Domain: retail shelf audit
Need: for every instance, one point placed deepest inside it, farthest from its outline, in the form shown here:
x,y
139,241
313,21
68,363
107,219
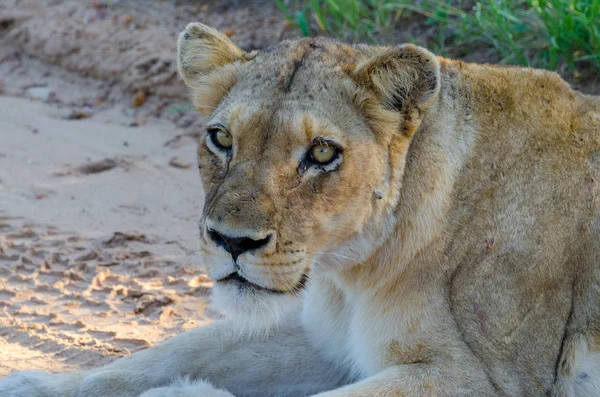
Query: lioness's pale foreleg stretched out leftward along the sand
x,y
284,363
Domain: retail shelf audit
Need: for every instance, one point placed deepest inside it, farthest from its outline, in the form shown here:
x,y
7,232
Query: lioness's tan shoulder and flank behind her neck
x,y
525,220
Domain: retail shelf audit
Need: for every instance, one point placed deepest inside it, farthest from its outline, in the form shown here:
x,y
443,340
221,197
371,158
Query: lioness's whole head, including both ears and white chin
x,y
304,149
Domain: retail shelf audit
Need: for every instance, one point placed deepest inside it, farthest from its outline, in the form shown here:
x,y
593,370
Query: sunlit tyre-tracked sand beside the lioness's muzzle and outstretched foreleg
x,y
58,300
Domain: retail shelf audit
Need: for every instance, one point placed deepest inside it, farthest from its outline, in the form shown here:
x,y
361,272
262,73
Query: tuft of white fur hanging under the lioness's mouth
x,y
253,312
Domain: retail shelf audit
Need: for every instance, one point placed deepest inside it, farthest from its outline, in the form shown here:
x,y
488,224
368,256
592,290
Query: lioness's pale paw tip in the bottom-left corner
x,y
37,384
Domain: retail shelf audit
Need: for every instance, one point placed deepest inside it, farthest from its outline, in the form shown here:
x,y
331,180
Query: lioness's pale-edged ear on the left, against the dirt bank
x,y
201,49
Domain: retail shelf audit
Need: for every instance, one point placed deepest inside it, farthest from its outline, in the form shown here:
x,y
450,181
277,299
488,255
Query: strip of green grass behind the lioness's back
x,y
552,34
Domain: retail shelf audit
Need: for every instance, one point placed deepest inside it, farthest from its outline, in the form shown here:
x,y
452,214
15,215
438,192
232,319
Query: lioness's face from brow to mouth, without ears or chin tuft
x,y
288,184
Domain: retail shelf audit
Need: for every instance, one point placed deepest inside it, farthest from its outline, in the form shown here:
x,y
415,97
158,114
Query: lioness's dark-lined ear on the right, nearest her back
x,y
404,79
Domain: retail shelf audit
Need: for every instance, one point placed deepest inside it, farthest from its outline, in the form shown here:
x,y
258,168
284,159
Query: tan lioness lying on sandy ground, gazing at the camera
x,y
438,223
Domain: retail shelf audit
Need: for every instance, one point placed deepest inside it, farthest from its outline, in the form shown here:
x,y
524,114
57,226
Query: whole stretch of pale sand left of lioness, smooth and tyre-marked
x,y
97,237
